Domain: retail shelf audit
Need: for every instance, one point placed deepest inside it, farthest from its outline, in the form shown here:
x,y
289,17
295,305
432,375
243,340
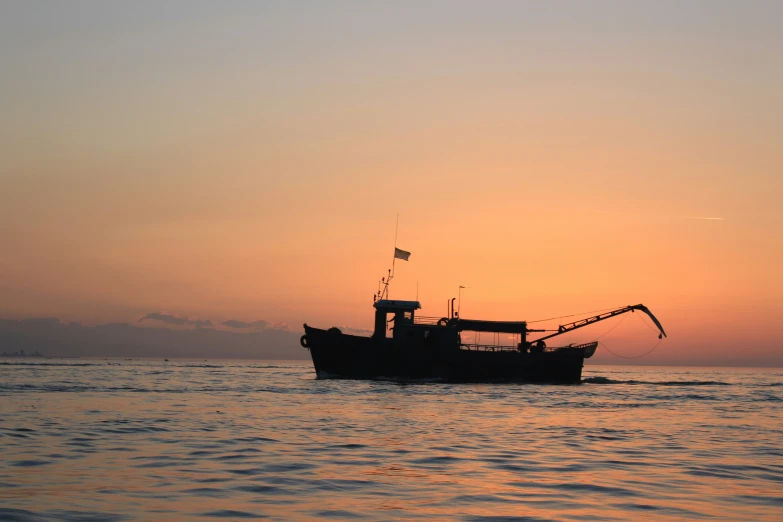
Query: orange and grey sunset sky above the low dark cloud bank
x,y
248,160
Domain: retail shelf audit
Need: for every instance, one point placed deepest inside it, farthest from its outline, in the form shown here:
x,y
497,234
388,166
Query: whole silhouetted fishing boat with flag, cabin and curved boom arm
x,y
406,347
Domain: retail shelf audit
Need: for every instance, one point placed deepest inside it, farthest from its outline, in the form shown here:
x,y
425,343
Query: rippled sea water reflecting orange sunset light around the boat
x,y
106,440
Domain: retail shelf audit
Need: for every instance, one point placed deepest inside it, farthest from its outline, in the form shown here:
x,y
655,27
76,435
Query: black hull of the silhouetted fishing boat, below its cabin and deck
x,y
337,355
